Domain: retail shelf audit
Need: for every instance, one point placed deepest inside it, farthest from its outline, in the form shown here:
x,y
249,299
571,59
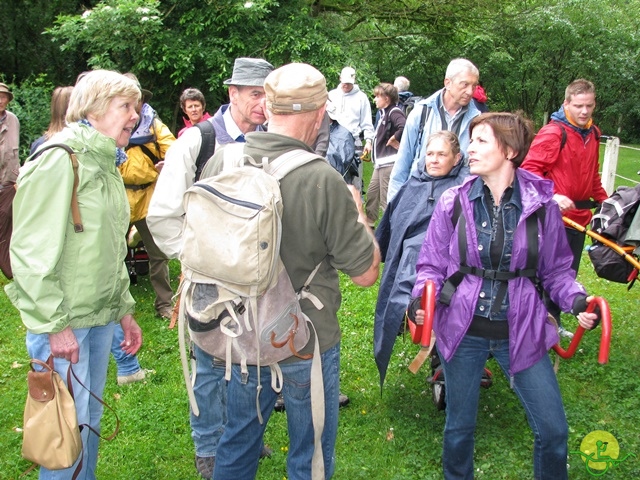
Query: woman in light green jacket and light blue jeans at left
x,y
72,287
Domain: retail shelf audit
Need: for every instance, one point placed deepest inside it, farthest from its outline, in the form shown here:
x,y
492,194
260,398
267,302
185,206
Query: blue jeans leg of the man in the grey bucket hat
x,y
210,391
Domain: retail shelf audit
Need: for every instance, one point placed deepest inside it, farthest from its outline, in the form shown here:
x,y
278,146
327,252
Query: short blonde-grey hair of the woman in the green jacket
x,y
94,91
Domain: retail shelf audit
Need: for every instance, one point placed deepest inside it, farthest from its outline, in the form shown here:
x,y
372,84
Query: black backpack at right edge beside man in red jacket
x,y
612,221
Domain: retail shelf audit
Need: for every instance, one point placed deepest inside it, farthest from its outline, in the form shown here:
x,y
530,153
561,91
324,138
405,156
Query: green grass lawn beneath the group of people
x,y
395,435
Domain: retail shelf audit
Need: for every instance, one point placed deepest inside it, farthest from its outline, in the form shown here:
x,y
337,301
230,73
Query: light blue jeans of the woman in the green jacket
x,y
91,369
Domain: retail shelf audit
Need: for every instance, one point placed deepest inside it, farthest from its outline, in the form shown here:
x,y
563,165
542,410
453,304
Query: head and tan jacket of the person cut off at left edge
x,y
9,139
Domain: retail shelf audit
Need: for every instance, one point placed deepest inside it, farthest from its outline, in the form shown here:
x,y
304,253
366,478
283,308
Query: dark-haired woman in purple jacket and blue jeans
x,y
502,318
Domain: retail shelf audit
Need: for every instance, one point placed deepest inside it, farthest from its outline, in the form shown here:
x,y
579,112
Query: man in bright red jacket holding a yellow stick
x,y
566,150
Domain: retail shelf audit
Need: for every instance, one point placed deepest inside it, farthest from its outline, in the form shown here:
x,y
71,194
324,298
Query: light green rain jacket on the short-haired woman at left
x,y
63,278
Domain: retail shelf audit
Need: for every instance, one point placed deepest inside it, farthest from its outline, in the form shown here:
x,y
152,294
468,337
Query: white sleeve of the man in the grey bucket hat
x,y
166,212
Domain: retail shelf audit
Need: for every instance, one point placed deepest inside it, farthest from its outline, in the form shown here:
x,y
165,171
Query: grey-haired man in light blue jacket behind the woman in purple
x,y
447,109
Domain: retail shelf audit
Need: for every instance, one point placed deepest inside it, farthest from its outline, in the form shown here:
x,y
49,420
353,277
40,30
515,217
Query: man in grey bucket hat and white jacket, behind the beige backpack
x,y
244,113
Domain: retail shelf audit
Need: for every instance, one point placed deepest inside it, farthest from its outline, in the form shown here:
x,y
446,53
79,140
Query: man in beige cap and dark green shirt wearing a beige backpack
x,y
322,223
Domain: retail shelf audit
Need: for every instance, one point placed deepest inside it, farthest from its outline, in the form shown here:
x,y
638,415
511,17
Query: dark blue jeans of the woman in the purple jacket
x,y
538,391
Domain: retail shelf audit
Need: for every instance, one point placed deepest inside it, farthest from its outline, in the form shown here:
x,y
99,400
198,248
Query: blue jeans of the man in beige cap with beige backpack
x,y
239,449
